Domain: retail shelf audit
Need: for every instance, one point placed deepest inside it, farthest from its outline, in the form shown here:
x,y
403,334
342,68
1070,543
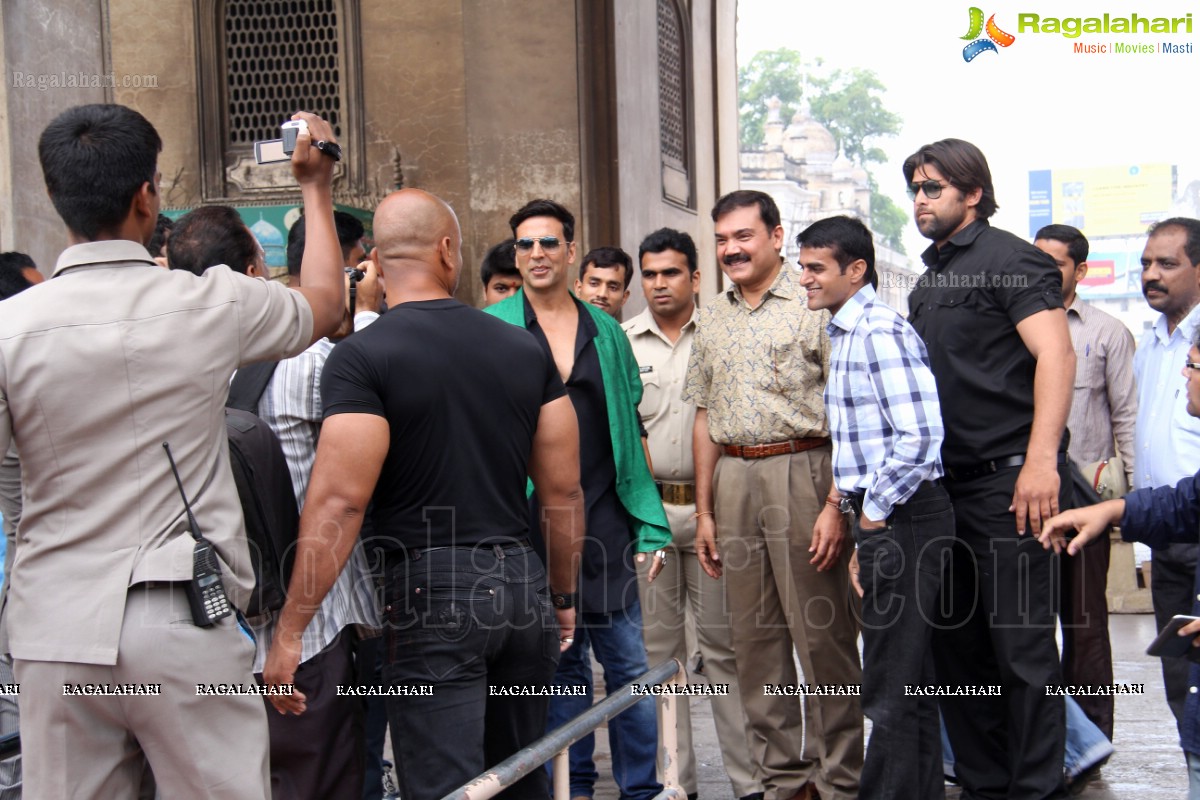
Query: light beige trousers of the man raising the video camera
x,y
197,747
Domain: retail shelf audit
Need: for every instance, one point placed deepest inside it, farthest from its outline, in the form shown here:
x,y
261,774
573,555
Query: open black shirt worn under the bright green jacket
x,y
608,581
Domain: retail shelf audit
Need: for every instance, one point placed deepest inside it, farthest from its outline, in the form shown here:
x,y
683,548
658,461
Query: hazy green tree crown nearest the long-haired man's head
x,y
849,105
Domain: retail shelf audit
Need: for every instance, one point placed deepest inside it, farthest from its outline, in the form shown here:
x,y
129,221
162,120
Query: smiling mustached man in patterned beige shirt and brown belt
x,y
761,443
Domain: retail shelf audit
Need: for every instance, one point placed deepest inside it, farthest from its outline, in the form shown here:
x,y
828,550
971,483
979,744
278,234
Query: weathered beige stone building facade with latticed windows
x,y
626,111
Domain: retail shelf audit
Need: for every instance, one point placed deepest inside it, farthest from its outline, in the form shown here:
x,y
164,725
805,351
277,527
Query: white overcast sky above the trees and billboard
x,y
1035,105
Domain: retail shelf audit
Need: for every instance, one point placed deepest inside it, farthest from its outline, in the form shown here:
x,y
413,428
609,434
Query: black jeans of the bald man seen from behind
x,y
467,621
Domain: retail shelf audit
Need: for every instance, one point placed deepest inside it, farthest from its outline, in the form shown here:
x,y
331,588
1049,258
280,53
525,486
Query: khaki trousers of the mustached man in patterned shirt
x,y
766,509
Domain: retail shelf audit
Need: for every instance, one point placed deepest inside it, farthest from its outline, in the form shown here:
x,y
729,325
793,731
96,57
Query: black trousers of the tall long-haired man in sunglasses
x,y
998,629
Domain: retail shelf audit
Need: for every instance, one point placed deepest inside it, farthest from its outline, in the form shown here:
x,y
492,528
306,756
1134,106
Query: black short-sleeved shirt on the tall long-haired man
x,y
967,306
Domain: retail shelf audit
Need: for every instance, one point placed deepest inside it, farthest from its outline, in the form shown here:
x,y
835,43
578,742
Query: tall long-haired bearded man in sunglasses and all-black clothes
x,y
989,308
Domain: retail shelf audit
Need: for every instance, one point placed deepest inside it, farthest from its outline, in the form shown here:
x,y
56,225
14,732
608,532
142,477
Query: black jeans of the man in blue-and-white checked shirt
x,y
901,569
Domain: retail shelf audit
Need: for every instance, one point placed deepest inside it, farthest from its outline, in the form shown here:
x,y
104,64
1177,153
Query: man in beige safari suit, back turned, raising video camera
x,y
100,368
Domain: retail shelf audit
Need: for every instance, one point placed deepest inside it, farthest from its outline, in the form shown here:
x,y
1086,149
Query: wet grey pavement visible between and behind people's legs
x,y
1148,763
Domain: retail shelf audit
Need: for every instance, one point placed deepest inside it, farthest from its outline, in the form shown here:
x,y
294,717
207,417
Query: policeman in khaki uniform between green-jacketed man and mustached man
x,y
662,340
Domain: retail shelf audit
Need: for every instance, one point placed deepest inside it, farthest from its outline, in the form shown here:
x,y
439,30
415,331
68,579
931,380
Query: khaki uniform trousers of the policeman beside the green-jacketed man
x,y
685,588
